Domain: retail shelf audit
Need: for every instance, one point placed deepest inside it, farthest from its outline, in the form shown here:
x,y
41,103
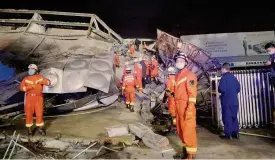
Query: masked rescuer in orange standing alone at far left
x,y
32,85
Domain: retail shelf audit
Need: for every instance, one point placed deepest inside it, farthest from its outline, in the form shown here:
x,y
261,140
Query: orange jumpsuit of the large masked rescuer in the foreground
x,y
185,99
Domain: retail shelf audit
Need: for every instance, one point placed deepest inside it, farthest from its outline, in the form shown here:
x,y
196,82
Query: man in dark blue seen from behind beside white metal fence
x,y
229,88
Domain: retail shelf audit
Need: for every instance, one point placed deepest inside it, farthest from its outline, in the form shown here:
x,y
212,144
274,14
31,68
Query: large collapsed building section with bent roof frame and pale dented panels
x,y
68,53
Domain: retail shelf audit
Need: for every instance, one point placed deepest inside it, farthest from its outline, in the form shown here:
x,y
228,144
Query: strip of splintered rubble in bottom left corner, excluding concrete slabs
x,y
20,147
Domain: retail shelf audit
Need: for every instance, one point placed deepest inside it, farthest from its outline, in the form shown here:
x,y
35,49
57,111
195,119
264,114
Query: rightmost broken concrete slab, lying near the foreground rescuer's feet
x,y
155,141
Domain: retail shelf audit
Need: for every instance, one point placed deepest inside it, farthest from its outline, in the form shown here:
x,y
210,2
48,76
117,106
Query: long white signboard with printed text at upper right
x,y
232,44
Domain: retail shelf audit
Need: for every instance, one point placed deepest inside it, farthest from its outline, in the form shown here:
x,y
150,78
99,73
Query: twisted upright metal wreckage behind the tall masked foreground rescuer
x,y
200,62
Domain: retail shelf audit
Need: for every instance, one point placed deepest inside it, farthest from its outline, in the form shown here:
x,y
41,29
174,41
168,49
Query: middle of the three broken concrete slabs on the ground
x,y
139,129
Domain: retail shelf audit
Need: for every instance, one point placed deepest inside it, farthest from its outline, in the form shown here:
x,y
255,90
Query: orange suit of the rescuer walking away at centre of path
x,y
128,85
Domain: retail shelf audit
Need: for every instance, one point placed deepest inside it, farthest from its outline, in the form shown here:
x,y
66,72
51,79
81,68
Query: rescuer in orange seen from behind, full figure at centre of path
x,y
128,87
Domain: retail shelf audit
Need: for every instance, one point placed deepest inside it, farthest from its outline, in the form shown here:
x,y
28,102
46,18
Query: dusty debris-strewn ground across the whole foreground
x,y
84,135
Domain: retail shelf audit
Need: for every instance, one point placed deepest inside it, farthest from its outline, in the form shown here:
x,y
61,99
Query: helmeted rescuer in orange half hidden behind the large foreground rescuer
x,y
170,89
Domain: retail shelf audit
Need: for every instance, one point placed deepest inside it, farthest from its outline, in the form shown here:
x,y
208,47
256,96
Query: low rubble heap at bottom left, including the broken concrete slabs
x,y
59,147
